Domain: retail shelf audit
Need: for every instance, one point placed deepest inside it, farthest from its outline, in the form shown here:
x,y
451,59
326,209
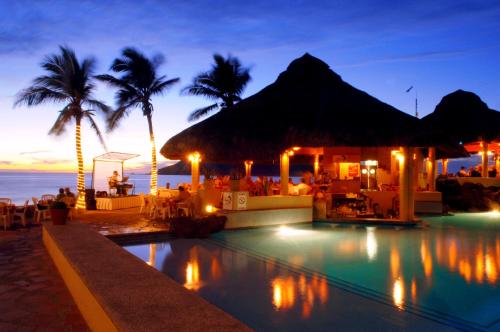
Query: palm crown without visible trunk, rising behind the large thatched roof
x,y
224,83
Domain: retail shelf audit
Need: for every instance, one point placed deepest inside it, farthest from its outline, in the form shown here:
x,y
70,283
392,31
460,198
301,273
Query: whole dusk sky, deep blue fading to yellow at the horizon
x,y
381,47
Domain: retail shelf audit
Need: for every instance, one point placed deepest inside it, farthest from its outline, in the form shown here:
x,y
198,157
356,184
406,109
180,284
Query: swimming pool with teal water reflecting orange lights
x,y
320,277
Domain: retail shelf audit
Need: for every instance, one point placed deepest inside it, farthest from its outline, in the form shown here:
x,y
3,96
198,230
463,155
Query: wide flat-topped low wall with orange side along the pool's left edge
x,y
143,299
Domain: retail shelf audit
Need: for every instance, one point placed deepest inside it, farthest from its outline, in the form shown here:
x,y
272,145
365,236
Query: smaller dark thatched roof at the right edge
x,y
464,117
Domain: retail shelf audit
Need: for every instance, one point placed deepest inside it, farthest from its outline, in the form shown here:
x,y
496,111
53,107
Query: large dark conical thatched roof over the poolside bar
x,y
308,105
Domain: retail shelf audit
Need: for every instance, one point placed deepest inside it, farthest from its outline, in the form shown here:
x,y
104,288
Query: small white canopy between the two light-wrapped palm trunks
x,y
104,166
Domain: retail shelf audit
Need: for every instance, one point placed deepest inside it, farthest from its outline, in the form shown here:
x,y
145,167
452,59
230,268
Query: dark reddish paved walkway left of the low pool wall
x,y
33,297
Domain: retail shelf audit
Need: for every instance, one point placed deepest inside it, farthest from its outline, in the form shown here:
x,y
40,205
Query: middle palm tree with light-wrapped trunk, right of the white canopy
x,y
138,83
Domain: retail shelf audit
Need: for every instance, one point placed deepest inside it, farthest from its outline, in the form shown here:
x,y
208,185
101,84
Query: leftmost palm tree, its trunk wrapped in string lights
x,y
68,82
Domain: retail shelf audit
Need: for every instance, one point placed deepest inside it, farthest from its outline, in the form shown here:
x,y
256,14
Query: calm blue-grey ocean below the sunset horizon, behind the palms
x,y
21,186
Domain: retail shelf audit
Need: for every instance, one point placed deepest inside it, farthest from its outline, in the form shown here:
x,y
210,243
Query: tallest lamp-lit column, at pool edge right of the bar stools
x,y
406,184
